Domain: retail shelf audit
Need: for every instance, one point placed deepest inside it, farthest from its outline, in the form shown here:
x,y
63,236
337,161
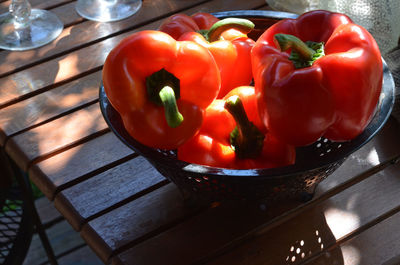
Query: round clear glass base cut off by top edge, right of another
x,y
107,10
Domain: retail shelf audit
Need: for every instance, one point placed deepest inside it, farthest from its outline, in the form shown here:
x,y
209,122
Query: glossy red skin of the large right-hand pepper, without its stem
x,y
335,97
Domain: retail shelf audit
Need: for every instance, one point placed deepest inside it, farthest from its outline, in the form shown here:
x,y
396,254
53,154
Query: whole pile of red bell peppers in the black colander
x,y
199,85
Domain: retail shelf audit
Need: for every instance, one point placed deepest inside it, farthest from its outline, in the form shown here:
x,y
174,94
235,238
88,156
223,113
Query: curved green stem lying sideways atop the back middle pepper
x,y
241,24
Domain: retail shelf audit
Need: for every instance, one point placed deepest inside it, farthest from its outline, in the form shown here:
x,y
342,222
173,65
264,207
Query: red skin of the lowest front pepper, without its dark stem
x,y
212,145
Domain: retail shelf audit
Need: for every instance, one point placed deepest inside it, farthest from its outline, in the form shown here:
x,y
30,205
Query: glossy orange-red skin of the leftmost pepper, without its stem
x,y
134,61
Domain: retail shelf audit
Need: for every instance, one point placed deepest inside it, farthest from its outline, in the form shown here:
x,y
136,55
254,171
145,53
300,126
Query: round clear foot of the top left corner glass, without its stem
x,y
43,28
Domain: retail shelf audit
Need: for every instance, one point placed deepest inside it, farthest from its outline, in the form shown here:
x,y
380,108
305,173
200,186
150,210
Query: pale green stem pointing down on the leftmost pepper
x,y
172,115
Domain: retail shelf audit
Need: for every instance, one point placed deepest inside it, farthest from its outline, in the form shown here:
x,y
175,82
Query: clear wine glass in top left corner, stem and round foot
x,y
23,28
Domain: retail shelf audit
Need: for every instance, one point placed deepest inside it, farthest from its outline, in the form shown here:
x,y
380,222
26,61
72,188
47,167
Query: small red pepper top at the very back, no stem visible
x,y
178,24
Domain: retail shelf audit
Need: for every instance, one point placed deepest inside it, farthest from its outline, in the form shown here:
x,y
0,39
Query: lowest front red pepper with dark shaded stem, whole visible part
x,y
228,139
